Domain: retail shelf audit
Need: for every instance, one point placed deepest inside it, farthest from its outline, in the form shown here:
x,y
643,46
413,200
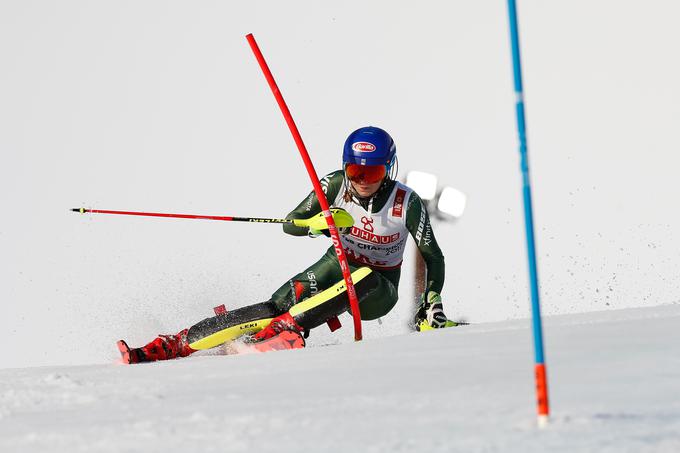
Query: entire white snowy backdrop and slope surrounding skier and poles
x,y
160,106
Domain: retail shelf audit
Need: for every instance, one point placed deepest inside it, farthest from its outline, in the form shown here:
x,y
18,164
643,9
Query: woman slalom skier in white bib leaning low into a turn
x,y
385,212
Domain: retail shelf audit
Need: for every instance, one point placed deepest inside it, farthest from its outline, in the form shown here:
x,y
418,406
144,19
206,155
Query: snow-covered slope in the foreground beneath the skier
x,y
614,378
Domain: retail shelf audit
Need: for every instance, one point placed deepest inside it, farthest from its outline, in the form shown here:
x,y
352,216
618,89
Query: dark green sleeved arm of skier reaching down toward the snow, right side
x,y
418,224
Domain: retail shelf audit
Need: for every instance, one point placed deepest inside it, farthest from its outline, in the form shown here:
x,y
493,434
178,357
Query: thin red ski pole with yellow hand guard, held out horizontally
x,y
317,222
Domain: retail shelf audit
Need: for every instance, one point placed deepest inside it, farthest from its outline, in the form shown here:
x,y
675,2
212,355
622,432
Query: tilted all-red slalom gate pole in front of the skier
x,y
335,236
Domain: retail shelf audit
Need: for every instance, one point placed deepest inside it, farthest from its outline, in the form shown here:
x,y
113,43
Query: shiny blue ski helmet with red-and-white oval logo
x,y
369,146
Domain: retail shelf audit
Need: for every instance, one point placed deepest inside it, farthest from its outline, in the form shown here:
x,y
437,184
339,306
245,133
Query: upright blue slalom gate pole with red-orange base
x,y
540,369
